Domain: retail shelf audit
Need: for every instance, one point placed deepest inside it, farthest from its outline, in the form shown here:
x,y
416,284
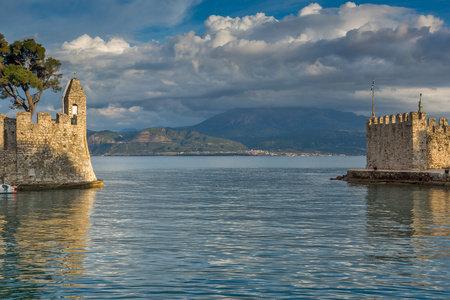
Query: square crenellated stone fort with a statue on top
x,y
407,142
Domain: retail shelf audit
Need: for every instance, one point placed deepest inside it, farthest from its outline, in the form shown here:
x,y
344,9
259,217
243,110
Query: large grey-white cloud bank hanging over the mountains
x,y
323,57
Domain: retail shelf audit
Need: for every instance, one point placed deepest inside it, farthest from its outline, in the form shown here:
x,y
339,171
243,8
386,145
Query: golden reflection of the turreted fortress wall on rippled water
x,y
43,240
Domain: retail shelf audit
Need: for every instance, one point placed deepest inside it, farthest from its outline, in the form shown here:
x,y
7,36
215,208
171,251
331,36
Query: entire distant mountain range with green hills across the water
x,y
271,130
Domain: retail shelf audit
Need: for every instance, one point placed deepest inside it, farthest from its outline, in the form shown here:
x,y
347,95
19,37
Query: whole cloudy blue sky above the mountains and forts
x,y
146,63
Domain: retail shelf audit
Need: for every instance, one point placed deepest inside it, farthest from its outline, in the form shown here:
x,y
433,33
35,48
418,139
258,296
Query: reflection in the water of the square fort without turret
x,y
405,217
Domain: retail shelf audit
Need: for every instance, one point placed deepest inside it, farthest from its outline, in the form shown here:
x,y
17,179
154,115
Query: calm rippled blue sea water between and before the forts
x,y
226,228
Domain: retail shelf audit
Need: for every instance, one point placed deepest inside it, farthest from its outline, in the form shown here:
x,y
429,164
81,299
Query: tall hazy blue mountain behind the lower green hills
x,y
293,130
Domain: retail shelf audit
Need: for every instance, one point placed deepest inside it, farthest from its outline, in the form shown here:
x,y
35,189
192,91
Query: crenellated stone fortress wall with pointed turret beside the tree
x,y
48,153
